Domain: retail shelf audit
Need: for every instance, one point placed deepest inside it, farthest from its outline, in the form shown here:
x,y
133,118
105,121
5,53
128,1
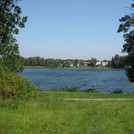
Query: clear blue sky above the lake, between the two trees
x,y
70,29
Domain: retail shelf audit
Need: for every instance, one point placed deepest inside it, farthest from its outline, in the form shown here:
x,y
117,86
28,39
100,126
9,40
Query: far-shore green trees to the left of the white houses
x,y
38,61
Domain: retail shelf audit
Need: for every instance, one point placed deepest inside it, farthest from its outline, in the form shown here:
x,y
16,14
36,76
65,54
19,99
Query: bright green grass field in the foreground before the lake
x,y
50,114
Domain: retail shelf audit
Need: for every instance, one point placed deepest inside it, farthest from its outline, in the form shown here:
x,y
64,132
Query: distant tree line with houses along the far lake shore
x,y
116,62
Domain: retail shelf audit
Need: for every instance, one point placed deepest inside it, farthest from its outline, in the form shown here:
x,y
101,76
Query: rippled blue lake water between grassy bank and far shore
x,y
106,80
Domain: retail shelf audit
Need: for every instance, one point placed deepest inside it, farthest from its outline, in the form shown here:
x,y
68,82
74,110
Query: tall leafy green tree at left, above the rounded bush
x,y
10,21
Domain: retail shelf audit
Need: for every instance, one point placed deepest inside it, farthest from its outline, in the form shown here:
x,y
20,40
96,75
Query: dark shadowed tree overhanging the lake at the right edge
x,y
127,26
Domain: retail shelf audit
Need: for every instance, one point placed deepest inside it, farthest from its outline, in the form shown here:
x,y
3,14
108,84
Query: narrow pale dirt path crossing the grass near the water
x,y
107,99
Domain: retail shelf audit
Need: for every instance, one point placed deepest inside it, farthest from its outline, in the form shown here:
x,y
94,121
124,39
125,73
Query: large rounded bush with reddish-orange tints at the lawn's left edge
x,y
14,86
